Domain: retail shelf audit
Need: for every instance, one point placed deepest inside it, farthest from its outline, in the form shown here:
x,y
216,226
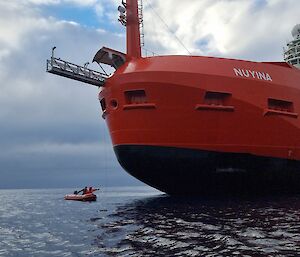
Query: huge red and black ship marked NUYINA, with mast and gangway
x,y
197,125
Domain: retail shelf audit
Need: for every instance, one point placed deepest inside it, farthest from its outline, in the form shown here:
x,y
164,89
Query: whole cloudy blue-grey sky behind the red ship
x,y
51,130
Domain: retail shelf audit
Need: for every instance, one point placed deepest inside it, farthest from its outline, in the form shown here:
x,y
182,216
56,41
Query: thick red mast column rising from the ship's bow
x,y
133,30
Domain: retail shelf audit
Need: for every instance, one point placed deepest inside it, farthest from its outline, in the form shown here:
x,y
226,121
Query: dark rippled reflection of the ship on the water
x,y
165,226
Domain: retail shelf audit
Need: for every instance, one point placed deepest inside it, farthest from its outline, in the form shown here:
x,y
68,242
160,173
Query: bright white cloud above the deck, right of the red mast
x,y
255,30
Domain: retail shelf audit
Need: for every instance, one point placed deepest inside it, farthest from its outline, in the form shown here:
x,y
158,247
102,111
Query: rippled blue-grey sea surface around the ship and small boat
x,y
139,221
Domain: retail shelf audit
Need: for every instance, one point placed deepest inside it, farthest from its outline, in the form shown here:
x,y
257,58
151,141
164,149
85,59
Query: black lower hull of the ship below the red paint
x,y
179,171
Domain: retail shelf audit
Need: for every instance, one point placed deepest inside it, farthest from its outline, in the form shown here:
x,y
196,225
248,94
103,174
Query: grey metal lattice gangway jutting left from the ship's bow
x,y
73,71
